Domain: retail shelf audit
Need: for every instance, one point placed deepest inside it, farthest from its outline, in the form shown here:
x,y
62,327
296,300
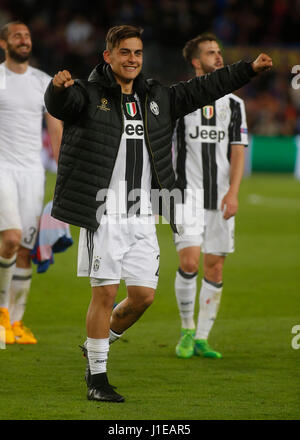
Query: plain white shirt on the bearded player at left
x,y
21,115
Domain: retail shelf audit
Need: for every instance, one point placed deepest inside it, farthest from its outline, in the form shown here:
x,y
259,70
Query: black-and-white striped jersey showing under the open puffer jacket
x,y
130,185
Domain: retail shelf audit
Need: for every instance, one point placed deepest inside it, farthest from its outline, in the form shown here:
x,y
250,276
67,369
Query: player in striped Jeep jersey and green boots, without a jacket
x,y
209,151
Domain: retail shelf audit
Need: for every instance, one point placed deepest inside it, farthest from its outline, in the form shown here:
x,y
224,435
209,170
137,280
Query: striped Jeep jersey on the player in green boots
x,y
203,141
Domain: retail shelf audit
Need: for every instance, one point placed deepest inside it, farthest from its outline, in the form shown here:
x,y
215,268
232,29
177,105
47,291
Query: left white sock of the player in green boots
x,y
185,290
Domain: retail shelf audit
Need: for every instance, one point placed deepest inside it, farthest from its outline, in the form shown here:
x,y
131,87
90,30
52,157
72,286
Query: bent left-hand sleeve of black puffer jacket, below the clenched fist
x,y
68,104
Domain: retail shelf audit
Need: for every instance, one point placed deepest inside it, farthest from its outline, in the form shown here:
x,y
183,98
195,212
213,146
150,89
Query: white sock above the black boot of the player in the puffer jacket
x,y
97,354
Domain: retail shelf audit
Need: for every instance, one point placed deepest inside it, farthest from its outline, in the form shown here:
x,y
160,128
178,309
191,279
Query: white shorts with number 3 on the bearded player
x,y
21,202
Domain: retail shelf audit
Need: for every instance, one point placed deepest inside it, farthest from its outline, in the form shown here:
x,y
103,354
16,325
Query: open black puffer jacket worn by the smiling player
x,y
93,126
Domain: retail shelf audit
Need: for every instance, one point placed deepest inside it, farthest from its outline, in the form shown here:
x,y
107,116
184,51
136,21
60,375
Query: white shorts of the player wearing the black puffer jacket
x,y
125,249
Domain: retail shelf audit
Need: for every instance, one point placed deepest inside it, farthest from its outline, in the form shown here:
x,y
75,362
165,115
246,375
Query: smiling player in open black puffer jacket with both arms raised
x,y
116,144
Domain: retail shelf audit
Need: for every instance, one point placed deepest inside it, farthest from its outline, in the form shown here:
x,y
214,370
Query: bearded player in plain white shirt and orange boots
x,y
22,179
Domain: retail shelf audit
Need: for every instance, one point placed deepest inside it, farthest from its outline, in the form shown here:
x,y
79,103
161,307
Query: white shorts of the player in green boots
x,y
217,236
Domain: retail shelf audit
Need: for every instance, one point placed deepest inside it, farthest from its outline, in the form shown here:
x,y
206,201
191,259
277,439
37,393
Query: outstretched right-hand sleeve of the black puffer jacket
x,y
187,96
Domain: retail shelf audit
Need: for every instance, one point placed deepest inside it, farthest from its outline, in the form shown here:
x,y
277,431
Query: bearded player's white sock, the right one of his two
x,y
19,290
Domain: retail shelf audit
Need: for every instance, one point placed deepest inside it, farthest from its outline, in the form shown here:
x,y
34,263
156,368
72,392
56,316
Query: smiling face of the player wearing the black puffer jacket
x,y
126,61
